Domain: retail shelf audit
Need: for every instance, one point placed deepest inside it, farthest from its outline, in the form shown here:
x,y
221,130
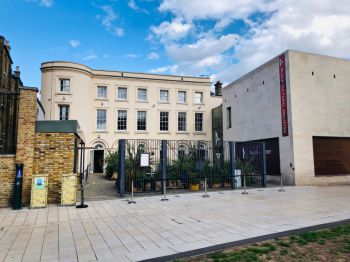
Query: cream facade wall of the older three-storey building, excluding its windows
x,y
84,103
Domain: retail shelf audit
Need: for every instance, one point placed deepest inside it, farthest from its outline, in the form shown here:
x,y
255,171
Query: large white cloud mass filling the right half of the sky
x,y
271,27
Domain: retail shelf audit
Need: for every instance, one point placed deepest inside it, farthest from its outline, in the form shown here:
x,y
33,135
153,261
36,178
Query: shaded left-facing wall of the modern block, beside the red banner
x,y
256,111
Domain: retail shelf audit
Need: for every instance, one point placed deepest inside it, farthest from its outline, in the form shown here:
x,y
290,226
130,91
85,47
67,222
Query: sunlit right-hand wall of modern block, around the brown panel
x,y
320,107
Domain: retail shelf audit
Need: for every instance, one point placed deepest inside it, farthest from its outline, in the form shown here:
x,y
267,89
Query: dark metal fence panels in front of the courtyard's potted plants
x,y
185,164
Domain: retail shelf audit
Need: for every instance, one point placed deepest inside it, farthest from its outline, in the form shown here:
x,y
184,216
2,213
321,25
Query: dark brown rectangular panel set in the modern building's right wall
x,y
331,155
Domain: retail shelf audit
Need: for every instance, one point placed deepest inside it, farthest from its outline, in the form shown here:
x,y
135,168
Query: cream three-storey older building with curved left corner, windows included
x,y
113,105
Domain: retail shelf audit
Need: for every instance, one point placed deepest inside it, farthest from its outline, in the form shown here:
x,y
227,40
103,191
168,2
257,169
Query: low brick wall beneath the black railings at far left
x,y
7,175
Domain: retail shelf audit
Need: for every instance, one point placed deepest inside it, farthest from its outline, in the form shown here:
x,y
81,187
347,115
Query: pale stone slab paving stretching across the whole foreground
x,y
113,230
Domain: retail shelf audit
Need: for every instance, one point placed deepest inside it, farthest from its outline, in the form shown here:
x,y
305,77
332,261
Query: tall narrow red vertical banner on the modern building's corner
x,y
283,93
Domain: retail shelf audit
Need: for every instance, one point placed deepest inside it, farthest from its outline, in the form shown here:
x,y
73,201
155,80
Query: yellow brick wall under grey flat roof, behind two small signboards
x,y
54,155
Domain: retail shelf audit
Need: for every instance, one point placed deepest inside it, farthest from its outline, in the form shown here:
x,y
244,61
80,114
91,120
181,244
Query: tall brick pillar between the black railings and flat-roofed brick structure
x,y
25,138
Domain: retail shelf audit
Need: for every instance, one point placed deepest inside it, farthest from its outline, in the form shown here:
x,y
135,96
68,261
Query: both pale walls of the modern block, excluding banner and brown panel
x,y
318,105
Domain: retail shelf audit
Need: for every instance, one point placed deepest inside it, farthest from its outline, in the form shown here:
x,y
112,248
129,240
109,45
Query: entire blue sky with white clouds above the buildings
x,y
220,38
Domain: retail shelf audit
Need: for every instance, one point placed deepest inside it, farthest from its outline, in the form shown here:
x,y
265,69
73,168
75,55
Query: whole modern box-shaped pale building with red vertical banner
x,y
298,103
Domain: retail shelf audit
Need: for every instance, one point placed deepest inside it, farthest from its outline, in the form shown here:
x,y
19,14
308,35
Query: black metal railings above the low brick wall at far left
x,y
8,121
